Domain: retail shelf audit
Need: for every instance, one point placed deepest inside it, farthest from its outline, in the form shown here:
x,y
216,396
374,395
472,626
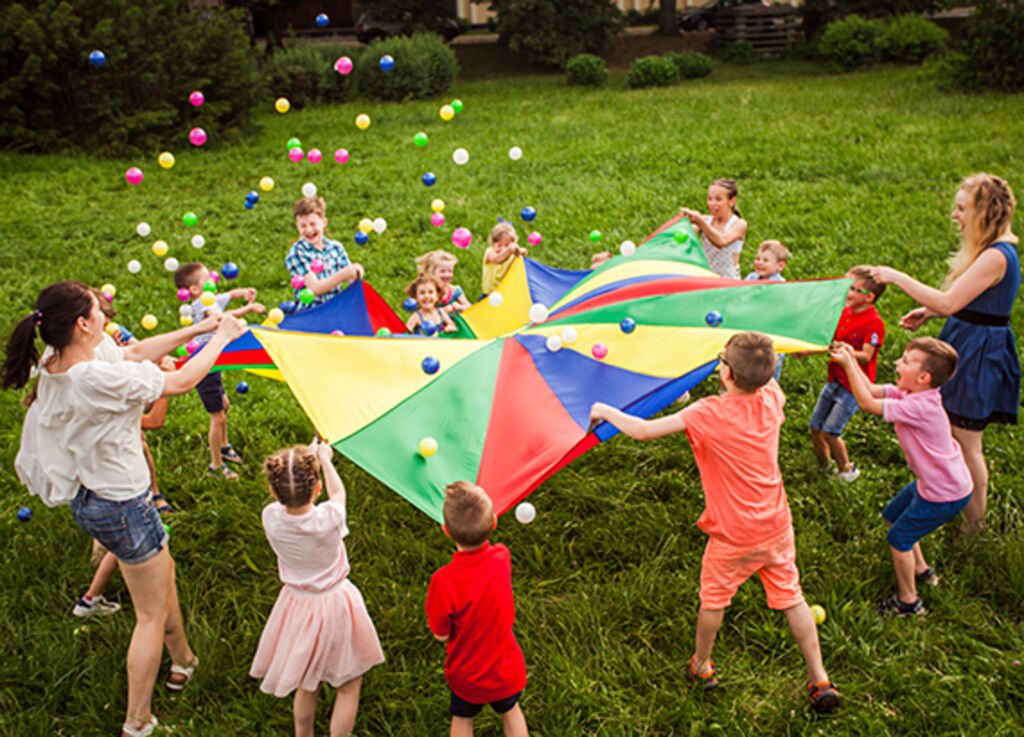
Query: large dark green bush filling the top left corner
x,y
158,52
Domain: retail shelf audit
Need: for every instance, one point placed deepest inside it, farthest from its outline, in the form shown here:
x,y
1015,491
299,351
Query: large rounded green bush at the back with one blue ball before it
x,y
424,67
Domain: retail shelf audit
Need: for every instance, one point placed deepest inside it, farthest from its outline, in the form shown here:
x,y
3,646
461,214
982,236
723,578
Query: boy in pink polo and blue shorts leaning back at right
x,y
943,487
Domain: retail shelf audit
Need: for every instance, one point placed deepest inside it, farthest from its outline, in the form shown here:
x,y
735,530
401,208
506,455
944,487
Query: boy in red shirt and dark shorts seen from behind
x,y
471,610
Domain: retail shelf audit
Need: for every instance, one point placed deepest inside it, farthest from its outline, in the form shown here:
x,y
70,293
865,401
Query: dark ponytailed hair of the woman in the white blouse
x,y
58,310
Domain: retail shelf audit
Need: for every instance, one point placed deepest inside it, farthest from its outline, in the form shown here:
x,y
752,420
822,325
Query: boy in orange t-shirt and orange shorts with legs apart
x,y
747,516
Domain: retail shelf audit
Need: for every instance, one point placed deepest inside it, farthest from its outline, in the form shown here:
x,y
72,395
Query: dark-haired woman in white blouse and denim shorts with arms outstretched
x,y
90,447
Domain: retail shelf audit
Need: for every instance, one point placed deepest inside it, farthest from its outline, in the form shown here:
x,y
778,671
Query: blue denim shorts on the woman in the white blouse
x,y
132,531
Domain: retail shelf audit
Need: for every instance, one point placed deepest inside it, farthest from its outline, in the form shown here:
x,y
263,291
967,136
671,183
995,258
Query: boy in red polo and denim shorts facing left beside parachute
x,y
862,328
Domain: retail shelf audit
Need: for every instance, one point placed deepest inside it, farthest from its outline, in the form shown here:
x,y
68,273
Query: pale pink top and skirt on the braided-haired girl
x,y
320,630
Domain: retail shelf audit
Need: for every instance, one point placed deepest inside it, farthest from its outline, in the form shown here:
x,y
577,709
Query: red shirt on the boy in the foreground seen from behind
x,y
471,601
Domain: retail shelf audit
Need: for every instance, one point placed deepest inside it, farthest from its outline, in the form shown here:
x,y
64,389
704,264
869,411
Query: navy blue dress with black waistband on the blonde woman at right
x,y
987,386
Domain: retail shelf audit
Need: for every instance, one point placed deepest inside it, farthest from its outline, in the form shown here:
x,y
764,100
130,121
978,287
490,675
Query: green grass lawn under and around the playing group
x,y
854,169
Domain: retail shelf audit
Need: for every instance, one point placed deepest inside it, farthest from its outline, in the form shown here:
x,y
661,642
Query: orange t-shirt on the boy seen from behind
x,y
736,444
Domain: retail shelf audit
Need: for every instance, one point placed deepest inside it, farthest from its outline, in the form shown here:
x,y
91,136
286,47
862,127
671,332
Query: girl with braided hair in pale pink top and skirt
x,y
320,630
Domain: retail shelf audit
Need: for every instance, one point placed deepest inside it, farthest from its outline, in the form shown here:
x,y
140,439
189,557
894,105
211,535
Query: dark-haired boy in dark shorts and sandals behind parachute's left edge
x,y
194,277
